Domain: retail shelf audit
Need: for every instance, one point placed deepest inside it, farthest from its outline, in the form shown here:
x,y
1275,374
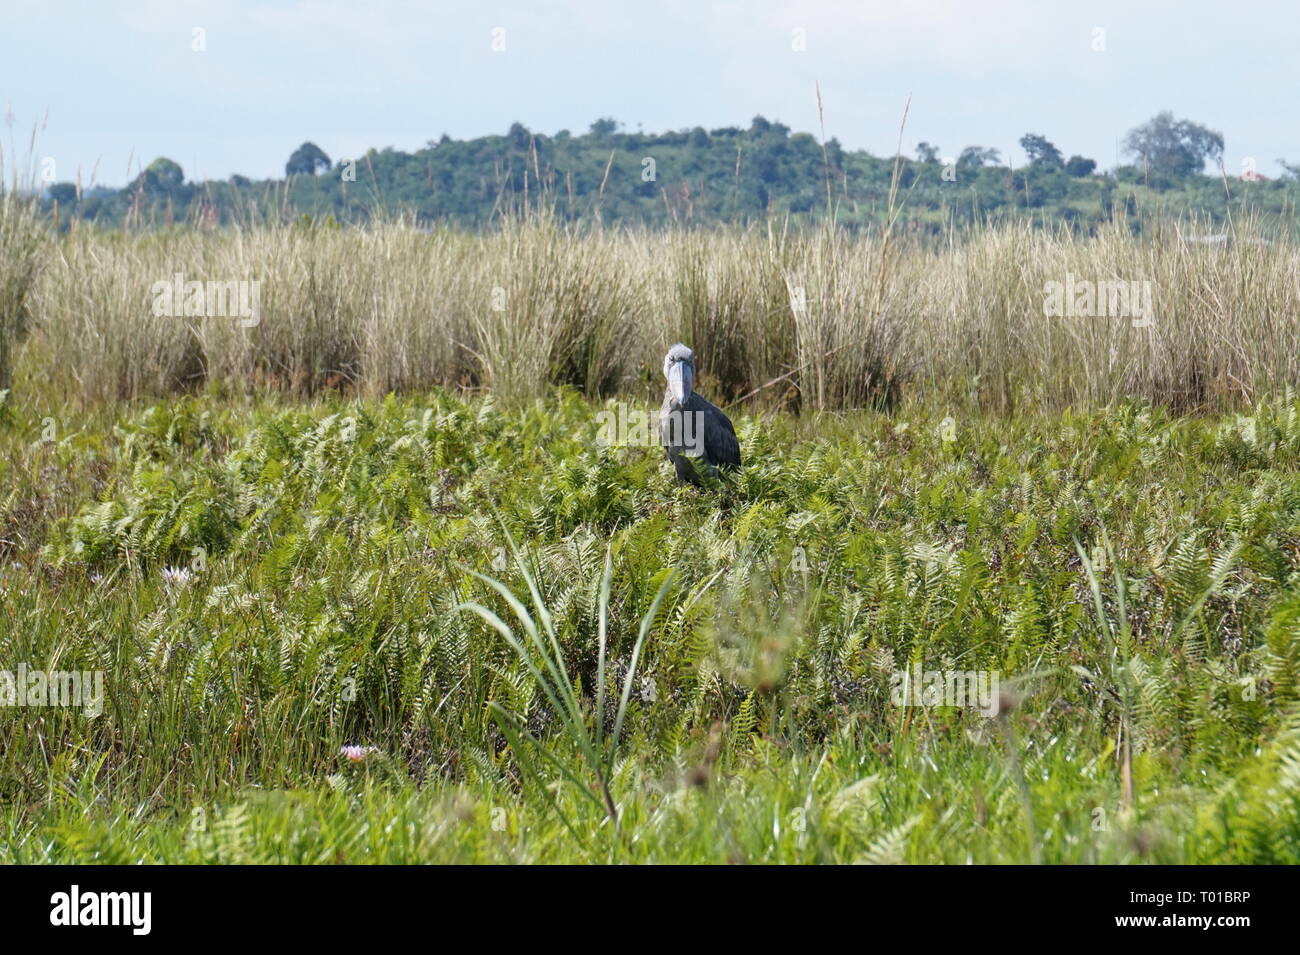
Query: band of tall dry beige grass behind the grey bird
x,y
821,318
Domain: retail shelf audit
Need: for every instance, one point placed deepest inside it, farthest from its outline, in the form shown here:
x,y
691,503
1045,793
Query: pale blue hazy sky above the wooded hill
x,y
122,81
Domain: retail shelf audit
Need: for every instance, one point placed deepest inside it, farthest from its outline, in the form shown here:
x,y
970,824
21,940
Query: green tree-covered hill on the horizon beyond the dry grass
x,y
705,177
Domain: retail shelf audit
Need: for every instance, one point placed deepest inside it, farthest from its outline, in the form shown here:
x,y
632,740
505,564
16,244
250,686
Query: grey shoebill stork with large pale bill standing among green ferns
x,y
696,435
